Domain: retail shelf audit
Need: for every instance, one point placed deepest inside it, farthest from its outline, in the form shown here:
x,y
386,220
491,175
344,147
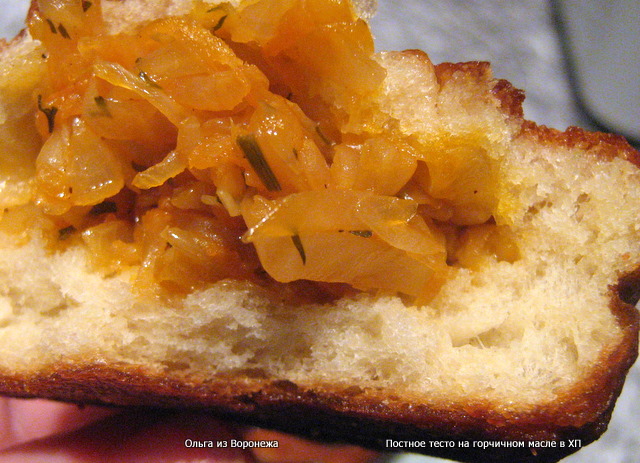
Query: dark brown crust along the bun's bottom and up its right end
x,y
366,417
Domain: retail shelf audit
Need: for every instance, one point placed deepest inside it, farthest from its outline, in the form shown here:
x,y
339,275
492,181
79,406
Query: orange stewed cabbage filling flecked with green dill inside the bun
x,y
246,143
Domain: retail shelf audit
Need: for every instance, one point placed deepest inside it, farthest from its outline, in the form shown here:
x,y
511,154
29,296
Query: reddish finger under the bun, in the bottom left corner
x,y
136,435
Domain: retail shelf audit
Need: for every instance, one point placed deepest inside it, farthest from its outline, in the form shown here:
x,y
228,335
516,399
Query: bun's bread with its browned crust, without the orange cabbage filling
x,y
512,359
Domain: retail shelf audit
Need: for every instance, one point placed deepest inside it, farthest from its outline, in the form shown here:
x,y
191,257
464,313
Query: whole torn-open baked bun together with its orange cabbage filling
x,y
418,262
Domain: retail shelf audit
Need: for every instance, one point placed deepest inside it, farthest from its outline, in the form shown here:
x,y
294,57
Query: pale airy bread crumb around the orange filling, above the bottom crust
x,y
520,329
